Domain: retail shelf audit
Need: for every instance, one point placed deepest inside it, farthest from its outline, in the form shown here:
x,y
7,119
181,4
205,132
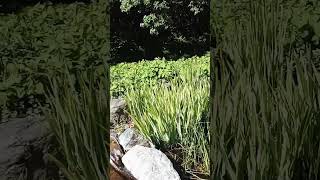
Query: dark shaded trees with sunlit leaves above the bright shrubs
x,y
158,28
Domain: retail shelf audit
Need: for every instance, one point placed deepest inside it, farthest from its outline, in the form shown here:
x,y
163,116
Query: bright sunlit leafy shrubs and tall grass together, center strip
x,y
168,102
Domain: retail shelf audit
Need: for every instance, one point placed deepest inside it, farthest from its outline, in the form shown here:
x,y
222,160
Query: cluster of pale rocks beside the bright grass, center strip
x,y
141,159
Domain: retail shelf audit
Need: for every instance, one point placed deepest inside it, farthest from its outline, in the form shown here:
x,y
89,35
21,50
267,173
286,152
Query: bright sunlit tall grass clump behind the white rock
x,y
175,114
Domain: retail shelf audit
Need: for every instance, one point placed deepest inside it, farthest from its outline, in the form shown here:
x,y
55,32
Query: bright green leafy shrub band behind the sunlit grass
x,y
125,75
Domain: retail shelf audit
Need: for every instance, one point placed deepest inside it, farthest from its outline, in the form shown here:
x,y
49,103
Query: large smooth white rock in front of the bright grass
x,y
149,164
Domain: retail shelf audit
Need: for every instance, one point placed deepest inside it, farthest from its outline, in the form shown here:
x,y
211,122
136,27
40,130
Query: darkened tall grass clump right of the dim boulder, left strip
x,y
79,118
